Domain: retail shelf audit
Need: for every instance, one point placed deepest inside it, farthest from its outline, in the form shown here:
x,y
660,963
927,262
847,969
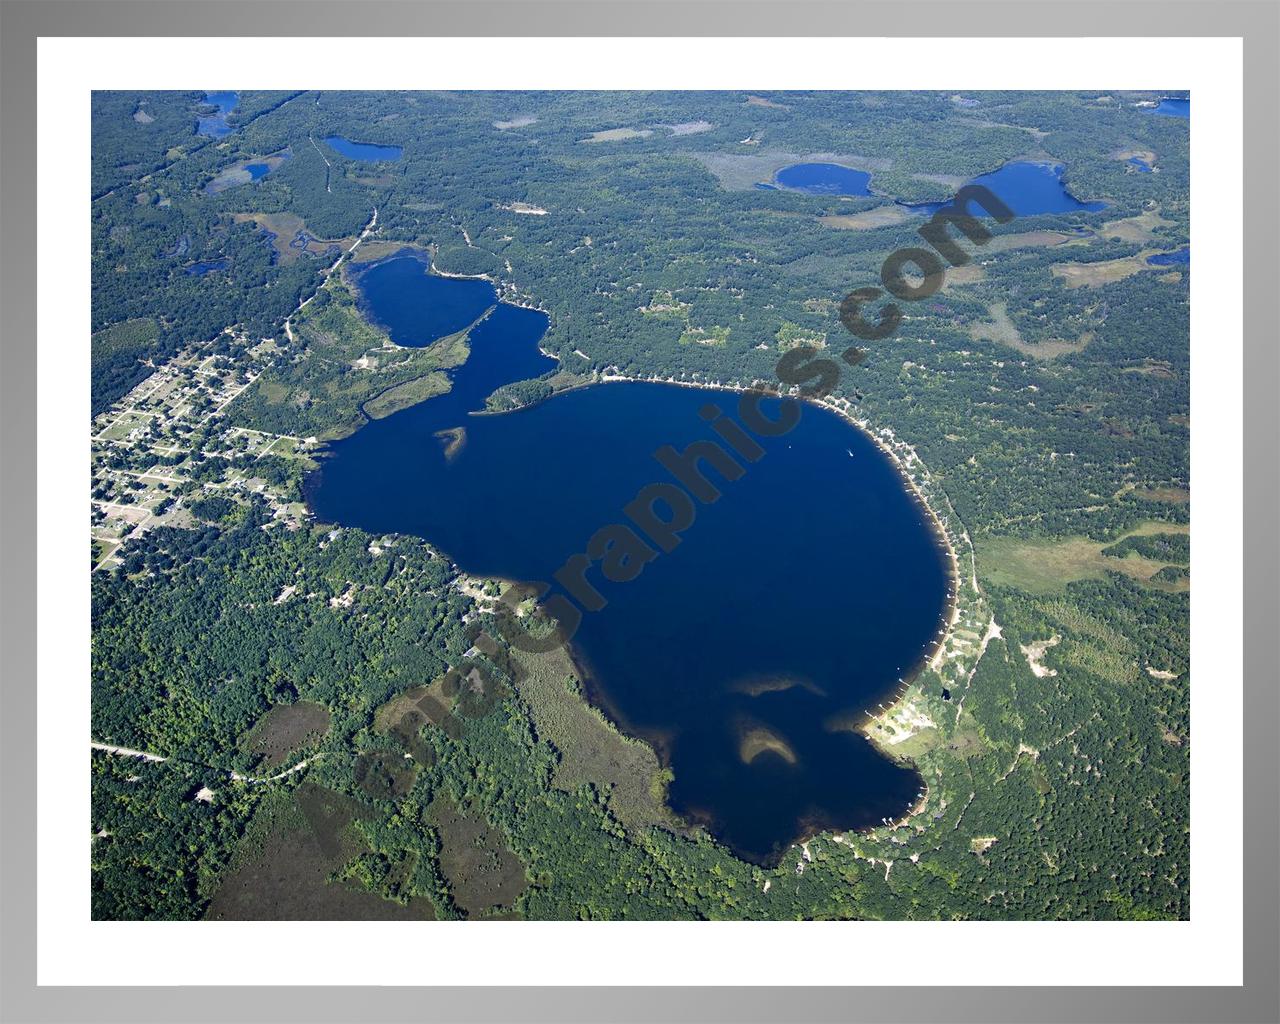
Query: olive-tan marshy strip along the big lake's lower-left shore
x,y
591,749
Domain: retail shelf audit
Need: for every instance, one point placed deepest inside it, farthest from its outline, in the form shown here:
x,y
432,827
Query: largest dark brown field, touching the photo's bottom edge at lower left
x,y
282,870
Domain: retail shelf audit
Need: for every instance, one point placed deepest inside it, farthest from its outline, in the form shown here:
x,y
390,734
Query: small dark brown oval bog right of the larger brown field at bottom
x,y
481,870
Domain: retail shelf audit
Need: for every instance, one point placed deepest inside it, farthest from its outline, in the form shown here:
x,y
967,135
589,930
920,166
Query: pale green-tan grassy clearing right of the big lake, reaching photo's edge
x,y
1048,566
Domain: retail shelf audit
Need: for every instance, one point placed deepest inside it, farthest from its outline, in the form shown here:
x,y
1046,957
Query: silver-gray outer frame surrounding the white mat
x,y
21,24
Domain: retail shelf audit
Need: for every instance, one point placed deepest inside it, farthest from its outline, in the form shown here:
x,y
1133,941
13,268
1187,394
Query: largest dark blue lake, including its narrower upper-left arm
x,y
790,606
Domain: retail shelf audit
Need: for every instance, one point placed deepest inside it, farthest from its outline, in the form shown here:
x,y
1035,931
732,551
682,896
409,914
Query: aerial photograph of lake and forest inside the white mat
x,y
641,506
